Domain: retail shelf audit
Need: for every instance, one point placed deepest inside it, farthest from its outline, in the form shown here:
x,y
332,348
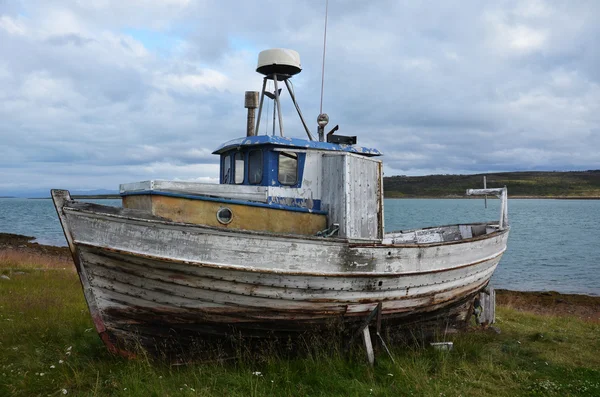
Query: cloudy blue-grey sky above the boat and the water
x,y
94,93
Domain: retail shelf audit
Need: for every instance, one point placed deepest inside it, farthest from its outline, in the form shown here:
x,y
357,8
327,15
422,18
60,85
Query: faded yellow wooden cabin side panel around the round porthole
x,y
245,217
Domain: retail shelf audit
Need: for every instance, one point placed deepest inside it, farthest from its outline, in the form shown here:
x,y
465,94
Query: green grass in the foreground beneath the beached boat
x,y
45,329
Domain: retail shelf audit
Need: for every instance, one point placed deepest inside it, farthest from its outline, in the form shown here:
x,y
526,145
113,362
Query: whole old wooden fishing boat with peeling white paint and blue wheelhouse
x,y
290,239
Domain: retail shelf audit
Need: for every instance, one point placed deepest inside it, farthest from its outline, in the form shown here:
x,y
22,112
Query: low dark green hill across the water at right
x,y
527,183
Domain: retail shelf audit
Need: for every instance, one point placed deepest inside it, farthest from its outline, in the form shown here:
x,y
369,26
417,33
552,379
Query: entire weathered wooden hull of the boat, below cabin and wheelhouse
x,y
147,280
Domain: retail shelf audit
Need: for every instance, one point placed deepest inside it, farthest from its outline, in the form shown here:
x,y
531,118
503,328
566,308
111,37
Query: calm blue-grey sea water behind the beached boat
x,y
553,244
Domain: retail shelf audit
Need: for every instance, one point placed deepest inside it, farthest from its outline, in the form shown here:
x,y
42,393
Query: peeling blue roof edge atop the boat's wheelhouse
x,y
294,143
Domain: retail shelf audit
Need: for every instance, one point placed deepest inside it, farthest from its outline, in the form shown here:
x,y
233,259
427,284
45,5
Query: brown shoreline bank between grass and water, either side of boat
x,y
17,248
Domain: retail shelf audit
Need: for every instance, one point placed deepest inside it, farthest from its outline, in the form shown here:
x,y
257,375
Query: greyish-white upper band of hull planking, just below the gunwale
x,y
255,251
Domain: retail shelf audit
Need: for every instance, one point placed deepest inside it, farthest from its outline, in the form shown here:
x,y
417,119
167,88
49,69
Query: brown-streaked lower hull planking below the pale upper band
x,y
119,284
